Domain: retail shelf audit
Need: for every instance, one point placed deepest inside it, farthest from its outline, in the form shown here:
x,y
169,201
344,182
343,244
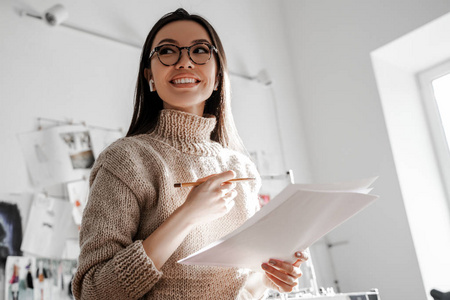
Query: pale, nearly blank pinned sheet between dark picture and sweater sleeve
x,y
50,224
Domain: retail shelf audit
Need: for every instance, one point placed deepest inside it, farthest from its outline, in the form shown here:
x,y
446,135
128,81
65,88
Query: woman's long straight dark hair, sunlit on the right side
x,y
147,105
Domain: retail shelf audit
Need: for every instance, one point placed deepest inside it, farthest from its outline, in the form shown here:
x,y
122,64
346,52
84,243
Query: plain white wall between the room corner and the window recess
x,y
346,133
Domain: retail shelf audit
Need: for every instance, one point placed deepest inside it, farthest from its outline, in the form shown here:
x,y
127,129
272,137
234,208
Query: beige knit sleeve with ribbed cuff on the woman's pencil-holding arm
x,y
111,264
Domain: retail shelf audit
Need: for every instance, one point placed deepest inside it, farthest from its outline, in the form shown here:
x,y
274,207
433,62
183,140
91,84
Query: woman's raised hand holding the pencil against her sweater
x,y
212,199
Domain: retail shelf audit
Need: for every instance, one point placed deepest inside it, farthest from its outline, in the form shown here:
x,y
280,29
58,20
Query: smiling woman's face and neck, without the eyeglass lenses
x,y
184,86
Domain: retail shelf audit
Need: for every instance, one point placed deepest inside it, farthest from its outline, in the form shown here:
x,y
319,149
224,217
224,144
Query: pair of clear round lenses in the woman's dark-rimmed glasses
x,y
198,53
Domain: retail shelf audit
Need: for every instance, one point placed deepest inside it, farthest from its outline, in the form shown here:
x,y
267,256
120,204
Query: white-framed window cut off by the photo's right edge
x,y
435,86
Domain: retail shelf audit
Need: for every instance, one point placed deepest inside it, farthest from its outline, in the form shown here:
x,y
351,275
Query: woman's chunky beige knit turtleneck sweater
x,y
132,193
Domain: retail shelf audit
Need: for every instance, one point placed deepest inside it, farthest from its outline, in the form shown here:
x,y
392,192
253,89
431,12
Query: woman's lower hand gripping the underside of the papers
x,y
282,276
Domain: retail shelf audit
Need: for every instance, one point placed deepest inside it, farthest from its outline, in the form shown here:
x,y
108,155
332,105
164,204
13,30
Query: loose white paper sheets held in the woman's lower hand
x,y
295,219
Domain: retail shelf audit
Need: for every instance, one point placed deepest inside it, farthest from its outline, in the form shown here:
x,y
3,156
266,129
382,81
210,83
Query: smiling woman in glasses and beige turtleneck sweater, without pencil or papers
x,y
136,225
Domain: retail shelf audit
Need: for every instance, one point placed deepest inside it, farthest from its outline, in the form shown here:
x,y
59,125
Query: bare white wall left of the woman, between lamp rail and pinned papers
x,y
59,74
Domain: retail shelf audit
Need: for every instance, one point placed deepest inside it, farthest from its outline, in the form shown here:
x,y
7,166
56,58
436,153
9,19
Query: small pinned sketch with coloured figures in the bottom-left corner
x,y
19,273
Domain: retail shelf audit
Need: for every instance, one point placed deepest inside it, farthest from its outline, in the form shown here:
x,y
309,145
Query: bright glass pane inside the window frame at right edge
x,y
441,88
